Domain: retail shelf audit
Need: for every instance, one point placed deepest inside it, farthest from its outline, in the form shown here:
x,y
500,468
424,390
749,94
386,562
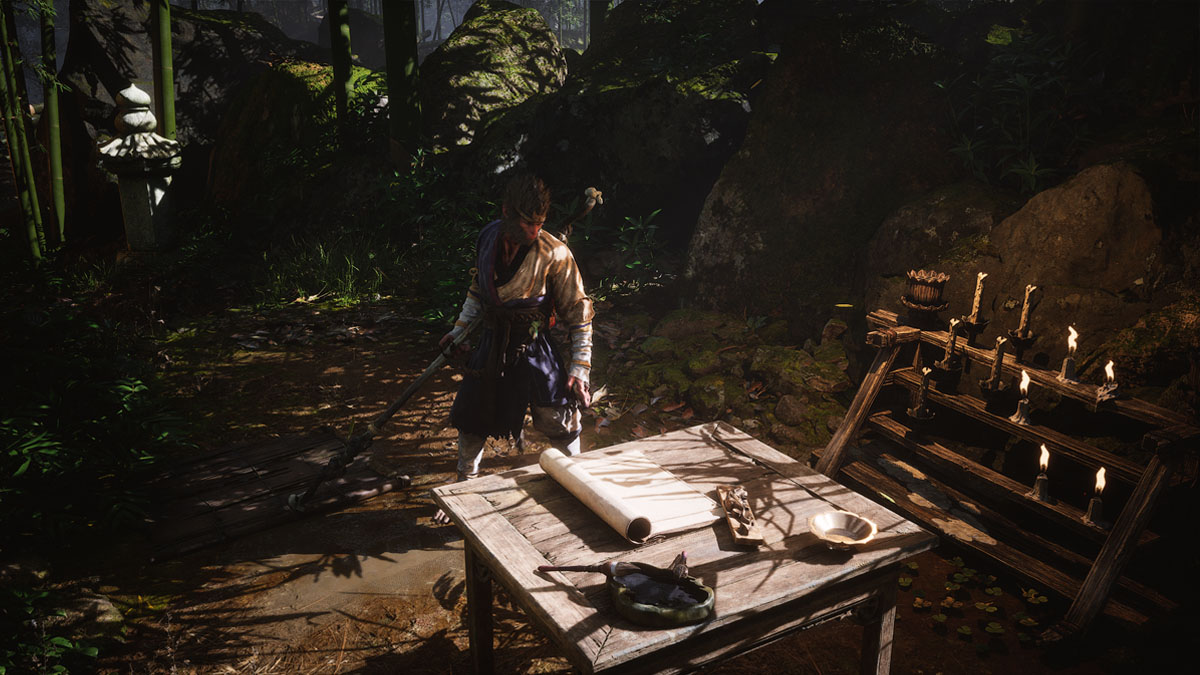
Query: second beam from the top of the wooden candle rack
x,y
1078,451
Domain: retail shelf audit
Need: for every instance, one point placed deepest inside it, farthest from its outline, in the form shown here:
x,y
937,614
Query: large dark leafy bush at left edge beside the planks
x,y
80,427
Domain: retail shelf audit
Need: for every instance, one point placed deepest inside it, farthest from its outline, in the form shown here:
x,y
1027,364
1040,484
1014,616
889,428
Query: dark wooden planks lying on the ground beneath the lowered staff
x,y
244,489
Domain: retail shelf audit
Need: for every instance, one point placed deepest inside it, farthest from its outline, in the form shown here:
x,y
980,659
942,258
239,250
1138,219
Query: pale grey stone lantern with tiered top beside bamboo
x,y
143,163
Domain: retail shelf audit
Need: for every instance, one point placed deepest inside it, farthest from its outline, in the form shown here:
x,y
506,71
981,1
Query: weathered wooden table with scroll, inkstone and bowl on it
x,y
514,522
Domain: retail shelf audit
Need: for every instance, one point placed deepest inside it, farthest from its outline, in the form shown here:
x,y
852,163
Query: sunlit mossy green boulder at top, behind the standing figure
x,y
501,56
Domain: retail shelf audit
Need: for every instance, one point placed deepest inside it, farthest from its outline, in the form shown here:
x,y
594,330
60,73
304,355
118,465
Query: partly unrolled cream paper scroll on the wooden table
x,y
638,498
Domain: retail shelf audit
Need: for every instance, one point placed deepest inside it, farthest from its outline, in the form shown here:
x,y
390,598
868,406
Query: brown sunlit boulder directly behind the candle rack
x,y
1091,247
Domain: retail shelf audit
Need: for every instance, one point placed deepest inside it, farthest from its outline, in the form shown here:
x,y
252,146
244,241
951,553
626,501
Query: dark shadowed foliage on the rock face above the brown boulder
x,y
1022,118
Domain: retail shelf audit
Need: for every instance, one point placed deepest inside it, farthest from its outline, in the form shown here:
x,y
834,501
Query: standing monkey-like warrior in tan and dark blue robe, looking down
x,y
525,280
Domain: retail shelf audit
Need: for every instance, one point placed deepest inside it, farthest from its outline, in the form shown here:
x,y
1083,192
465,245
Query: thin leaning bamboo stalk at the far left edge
x,y
15,132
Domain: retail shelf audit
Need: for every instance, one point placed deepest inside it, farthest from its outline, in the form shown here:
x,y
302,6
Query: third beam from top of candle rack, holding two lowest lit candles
x,y
989,482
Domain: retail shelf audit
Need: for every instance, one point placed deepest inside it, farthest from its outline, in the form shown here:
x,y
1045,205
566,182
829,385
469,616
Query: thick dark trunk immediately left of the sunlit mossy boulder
x,y
404,104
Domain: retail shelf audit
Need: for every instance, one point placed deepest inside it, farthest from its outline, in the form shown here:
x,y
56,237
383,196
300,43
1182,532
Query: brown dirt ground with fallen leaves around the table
x,y
380,588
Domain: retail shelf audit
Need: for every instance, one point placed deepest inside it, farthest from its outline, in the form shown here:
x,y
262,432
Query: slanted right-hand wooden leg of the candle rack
x,y
1118,548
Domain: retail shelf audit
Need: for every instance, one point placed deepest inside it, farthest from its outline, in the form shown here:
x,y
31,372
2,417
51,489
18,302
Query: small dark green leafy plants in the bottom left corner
x,y
31,643
